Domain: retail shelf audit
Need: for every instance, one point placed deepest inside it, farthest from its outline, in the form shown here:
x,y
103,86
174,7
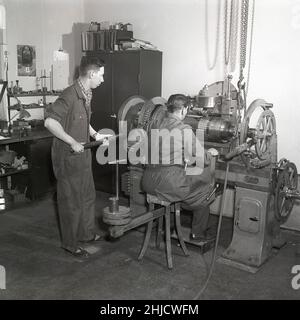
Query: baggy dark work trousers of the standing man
x,y
76,199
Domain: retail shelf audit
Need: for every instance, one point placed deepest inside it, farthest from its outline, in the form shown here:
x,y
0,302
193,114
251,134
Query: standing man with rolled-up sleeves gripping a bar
x,y
68,119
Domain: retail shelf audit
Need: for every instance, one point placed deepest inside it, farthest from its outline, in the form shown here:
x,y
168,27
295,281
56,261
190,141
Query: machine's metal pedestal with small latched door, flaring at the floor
x,y
255,229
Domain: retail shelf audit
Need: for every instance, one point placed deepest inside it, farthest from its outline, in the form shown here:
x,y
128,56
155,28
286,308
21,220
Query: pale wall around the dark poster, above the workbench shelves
x,y
40,23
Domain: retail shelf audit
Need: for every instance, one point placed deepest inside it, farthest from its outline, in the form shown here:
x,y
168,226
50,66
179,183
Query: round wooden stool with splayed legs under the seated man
x,y
152,200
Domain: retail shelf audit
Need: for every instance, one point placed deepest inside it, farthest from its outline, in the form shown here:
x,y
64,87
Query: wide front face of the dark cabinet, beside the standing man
x,y
120,82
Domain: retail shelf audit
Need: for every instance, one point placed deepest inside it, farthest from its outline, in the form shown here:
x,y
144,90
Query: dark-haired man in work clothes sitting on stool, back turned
x,y
171,182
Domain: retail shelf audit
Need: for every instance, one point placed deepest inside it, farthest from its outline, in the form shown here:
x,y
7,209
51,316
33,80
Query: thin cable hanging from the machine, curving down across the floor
x,y
217,237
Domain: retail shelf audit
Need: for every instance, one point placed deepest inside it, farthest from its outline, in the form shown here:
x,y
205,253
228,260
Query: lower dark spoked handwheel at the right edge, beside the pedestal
x,y
287,180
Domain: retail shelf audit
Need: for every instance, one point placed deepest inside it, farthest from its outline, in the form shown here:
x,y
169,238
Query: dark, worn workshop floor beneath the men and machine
x,y
37,268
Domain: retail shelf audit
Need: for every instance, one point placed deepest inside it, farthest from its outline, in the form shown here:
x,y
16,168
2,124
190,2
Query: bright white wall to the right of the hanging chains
x,y
276,67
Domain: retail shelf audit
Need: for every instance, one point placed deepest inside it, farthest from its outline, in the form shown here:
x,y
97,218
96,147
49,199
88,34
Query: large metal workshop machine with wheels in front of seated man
x,y
265,189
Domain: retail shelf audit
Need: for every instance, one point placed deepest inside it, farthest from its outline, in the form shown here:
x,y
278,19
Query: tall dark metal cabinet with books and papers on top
x,y
127,73
